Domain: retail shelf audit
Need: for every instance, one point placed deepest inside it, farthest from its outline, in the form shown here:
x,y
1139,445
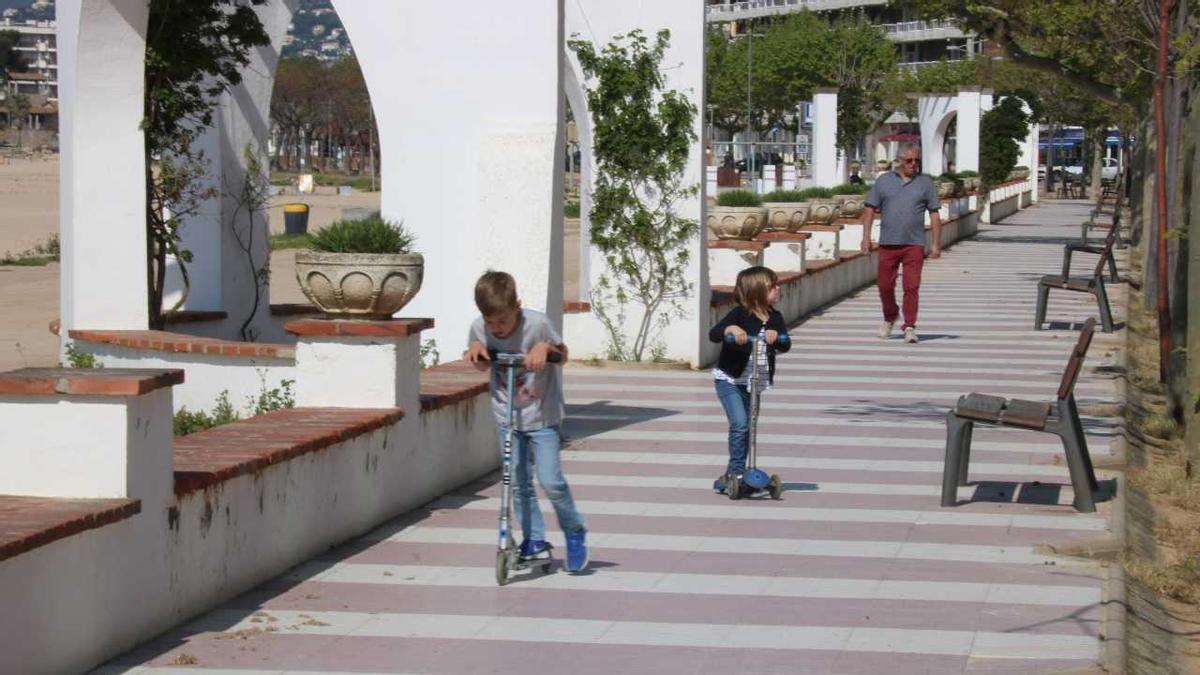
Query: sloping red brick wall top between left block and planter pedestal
x,y
215,456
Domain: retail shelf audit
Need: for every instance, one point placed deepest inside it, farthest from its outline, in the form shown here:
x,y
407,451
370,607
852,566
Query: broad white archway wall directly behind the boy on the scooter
x,y
490,116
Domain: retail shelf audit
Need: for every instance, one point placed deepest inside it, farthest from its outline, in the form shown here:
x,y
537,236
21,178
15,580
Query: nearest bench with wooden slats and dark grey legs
x,y
1060,419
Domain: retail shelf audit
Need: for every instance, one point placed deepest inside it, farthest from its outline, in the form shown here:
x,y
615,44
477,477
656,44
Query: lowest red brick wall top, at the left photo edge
x,y
29,523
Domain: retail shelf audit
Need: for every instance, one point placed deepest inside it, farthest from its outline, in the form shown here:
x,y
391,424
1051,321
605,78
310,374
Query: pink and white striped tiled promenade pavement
x,y
857,570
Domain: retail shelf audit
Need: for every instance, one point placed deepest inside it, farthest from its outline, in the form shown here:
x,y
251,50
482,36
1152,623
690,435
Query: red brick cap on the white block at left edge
x,y
83,383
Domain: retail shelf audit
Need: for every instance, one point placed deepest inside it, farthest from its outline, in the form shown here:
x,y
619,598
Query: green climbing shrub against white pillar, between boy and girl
x,y
643,135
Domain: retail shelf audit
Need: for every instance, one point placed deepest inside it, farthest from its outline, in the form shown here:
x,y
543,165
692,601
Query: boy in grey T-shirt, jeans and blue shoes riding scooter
x,y
507,327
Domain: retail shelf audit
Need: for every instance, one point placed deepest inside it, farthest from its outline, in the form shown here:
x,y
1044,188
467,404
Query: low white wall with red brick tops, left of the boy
x,y
208,516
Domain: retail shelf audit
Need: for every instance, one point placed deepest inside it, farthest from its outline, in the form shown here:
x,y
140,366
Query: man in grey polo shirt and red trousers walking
x,y
903,198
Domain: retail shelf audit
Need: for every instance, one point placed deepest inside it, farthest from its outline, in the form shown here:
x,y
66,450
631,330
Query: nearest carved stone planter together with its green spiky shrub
x,y
361,270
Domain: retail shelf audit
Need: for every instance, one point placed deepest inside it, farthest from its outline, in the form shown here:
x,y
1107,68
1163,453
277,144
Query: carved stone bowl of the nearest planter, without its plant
x,y
368,286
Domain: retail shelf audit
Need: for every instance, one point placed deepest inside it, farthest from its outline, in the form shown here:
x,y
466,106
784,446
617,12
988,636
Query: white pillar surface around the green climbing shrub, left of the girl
x,y
601,21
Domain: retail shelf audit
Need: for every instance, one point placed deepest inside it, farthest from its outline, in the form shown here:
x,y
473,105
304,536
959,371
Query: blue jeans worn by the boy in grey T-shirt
x,y
542,446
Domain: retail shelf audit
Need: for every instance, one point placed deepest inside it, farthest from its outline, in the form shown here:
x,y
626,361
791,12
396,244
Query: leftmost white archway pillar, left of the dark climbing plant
x,y
103,181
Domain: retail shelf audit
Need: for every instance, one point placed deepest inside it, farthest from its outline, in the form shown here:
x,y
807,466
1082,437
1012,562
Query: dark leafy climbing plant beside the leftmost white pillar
x,y
195,52
